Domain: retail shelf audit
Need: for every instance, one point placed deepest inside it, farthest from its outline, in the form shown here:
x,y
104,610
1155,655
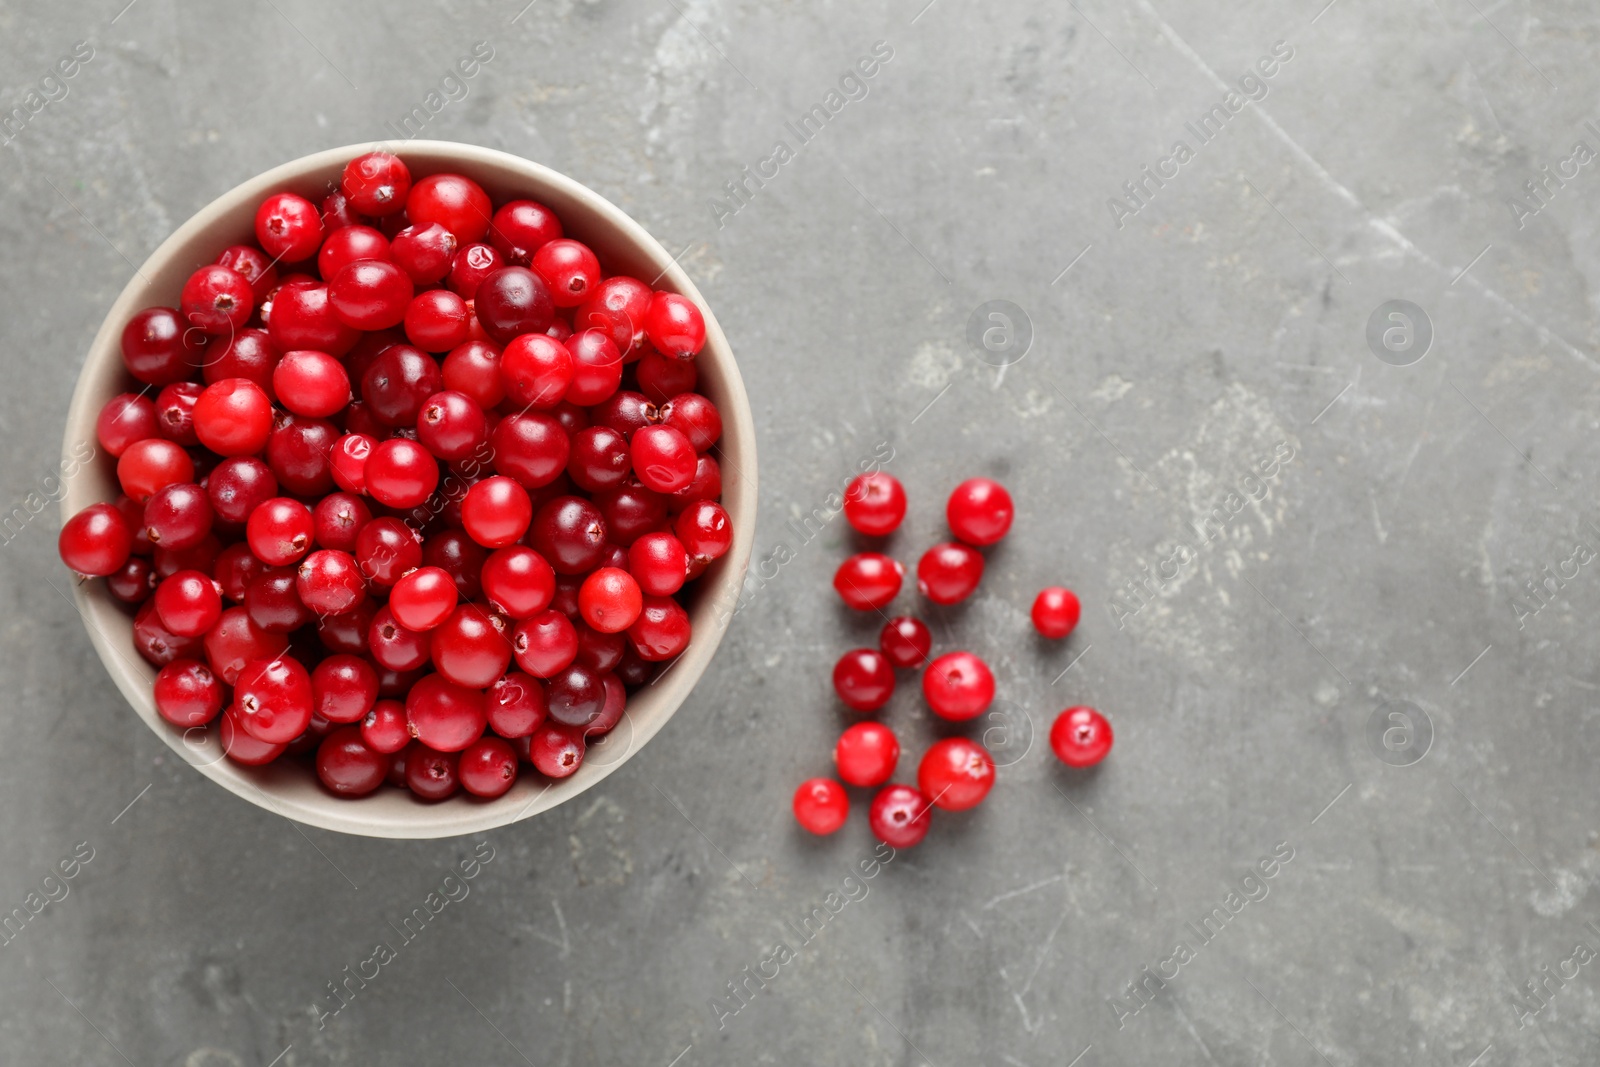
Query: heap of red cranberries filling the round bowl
x,y
412,490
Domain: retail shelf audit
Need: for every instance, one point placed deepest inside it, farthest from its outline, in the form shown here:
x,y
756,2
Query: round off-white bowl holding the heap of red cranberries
x,y
292,789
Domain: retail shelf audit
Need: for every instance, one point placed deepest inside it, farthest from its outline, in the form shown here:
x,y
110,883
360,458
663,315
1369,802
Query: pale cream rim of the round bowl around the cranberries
x,y
713,612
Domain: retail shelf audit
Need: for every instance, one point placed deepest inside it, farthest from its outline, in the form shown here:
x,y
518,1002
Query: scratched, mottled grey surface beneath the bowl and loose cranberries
x,y
1226,318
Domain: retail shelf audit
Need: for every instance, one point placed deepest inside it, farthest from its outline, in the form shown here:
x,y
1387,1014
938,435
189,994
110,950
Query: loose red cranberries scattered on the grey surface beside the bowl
x,y
956,773
